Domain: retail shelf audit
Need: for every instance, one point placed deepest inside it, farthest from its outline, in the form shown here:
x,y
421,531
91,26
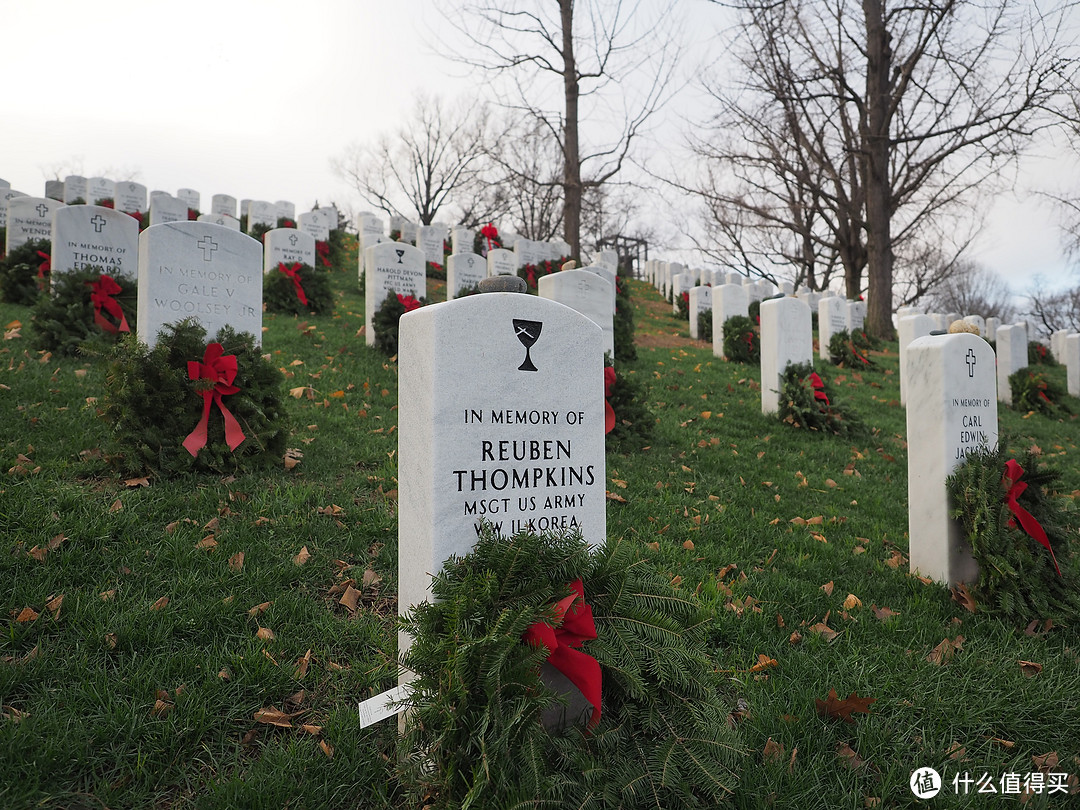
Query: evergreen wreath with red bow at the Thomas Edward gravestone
x,y
67,321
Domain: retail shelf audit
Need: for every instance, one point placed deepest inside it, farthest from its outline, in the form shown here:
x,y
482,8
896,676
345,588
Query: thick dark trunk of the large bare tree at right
x,y
876,180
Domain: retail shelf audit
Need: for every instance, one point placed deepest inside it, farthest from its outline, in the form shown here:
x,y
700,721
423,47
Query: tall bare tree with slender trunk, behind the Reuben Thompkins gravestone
x,y
591,73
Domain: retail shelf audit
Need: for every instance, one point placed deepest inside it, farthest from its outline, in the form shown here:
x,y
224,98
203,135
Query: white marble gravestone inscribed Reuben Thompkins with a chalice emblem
x,y
521,447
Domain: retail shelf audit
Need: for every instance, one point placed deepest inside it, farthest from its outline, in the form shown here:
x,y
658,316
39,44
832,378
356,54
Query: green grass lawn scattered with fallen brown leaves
x,y
710,492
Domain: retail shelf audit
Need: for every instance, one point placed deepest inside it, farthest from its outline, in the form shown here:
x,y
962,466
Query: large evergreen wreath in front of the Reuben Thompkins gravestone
x,y
476,736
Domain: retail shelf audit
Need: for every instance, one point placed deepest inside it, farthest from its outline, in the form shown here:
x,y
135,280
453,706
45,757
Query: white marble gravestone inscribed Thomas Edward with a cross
x,y
91,236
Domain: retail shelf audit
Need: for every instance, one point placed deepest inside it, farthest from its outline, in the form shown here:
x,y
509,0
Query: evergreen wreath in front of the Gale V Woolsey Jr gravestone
x,y
152,406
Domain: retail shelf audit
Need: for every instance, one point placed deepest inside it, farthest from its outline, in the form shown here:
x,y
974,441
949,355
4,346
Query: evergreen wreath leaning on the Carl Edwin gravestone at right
x,y
1019,577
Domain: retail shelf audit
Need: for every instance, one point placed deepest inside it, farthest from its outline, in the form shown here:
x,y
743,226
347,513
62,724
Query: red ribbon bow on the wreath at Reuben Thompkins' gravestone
x,y
576,627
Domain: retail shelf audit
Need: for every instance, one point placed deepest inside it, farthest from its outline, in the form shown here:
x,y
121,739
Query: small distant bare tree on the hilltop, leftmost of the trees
x,y
426,164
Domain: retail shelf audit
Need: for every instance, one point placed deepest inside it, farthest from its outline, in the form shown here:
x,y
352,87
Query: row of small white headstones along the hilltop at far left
x,y
164,208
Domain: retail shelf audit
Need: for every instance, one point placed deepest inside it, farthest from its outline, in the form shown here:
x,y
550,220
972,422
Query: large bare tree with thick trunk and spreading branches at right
x,y
868,123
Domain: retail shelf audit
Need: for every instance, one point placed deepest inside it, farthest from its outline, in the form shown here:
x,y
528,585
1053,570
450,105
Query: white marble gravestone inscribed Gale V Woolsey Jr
x,y
199,271
